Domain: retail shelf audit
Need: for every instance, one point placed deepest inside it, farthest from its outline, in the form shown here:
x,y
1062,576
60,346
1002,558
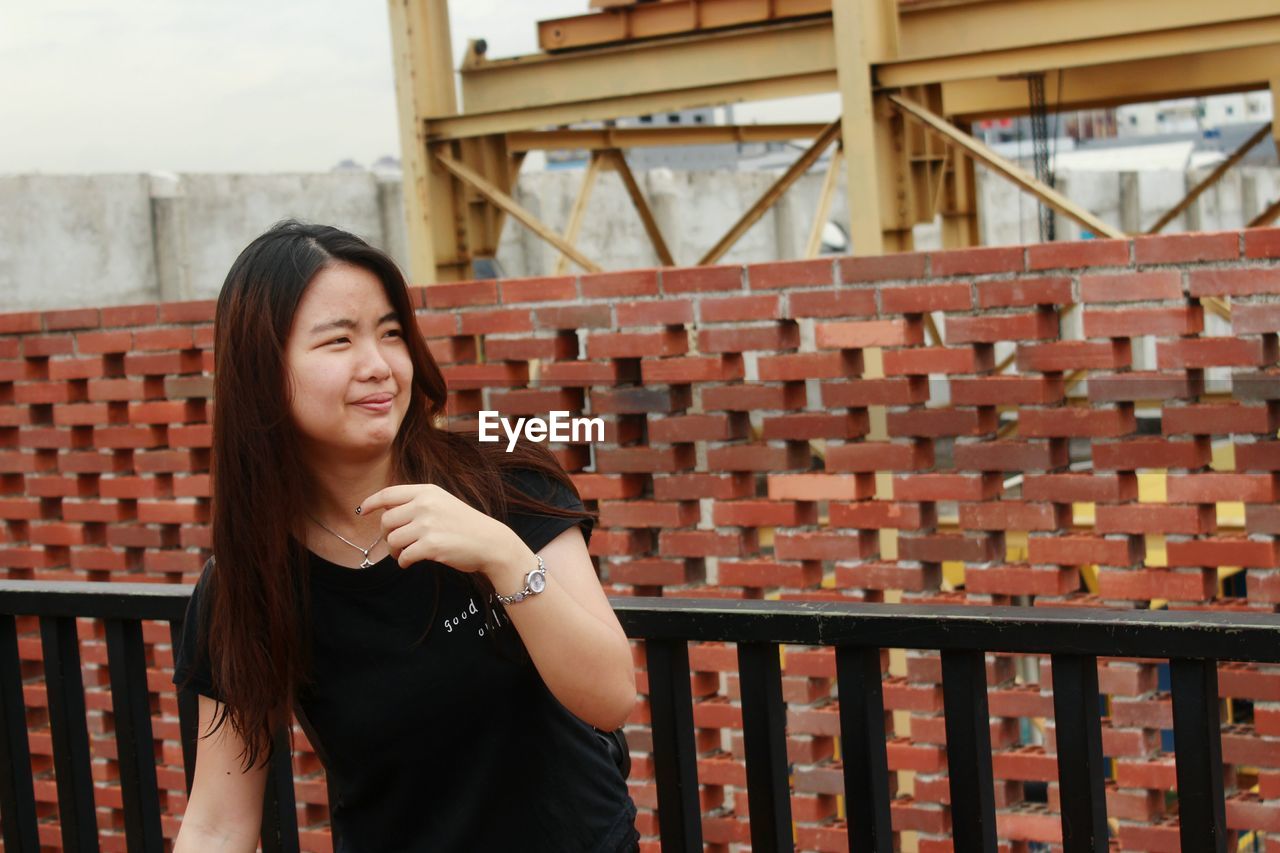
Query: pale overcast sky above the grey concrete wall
x,y
225,86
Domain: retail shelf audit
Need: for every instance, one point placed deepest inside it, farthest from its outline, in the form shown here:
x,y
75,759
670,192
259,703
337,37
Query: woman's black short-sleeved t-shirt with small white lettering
x,y
452,743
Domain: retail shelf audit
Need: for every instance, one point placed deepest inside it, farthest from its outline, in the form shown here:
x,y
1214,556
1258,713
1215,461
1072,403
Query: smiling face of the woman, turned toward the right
x,y
349,364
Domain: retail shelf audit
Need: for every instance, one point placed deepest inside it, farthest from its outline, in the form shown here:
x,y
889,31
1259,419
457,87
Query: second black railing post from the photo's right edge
x,y
1078,729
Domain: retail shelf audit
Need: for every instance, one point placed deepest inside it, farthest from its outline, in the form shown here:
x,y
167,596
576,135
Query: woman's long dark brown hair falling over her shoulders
x,y
257,613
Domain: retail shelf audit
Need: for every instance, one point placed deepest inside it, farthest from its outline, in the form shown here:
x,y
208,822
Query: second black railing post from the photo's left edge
x,y
70,731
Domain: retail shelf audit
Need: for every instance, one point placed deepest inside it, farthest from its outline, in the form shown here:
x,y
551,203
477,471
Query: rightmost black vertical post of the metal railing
x,y
1199,755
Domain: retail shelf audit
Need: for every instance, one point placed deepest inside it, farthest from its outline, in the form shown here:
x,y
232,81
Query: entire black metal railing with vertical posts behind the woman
x,y
1076,638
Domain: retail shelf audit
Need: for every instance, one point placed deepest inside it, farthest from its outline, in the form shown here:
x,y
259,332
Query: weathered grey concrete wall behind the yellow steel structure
x,y
70,241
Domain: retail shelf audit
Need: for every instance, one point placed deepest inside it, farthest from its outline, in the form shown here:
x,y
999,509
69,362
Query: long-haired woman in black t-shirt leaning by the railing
x,y
424,603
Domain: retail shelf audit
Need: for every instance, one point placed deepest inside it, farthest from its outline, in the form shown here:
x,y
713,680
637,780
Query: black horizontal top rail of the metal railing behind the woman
x,y
1224,636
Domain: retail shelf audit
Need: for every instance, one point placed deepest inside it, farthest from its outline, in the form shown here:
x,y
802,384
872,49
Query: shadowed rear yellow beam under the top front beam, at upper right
x,y
1133,81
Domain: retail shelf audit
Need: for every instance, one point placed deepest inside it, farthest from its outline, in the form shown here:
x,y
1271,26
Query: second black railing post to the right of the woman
x,y
766,740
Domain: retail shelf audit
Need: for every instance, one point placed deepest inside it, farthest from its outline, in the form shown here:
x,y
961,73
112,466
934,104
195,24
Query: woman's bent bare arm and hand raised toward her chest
x,y
572,633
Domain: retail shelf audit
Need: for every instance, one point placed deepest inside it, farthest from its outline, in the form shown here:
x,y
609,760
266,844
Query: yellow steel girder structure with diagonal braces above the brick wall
x,y
913,76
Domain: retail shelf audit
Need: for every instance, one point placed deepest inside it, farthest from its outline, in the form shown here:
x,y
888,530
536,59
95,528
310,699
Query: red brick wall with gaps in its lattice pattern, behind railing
x,y
723,475
